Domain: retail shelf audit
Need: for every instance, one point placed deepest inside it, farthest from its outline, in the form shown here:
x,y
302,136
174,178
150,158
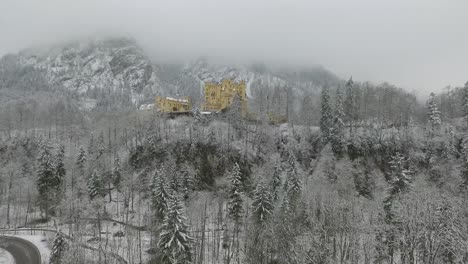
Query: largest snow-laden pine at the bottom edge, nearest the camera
x,y
174,239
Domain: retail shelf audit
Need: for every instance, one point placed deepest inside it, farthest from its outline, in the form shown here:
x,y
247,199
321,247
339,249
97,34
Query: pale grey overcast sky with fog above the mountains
x,y
420,45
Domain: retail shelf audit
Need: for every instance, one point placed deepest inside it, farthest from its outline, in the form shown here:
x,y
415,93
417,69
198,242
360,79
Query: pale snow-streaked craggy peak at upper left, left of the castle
x,y
110,65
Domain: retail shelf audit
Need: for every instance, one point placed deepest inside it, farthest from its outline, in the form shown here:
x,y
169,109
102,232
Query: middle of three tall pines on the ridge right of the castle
x,y
337,141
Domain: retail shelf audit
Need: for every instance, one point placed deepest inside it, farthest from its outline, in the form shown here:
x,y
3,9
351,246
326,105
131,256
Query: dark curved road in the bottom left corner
x,y
22,250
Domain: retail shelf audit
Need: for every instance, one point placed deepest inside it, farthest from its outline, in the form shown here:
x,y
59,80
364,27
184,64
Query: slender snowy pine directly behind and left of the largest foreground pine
x,y
159,194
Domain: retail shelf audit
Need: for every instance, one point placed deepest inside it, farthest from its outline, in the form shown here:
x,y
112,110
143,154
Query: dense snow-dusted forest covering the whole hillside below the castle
x,y
361,173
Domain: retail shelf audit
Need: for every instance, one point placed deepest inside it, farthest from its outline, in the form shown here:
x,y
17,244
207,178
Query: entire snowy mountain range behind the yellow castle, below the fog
x,y
117,73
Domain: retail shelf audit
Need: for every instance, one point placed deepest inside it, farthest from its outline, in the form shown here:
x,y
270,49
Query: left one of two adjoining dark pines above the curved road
x,y
46,180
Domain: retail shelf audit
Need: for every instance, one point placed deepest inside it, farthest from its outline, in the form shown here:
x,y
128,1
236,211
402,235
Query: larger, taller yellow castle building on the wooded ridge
x,y
219,96
